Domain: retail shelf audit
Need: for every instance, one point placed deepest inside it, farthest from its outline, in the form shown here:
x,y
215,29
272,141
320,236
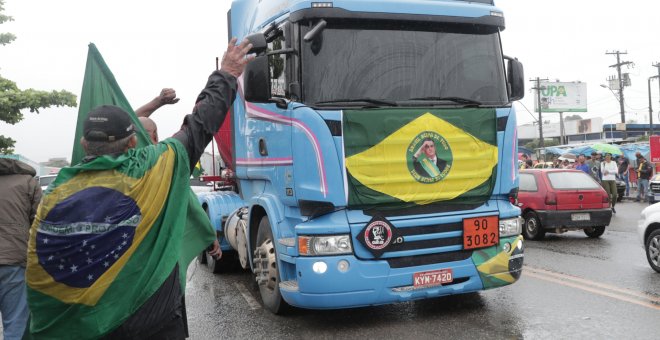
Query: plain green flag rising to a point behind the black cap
x,y
101,88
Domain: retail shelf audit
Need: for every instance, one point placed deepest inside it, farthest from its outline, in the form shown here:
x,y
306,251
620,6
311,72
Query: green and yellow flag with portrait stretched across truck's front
x,y
398,158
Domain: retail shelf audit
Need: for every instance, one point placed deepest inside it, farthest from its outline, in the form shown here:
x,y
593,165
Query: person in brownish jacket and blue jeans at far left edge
x,y
20,197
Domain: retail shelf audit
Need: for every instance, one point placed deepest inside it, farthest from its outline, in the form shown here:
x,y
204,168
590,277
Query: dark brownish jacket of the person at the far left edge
x,y
18,204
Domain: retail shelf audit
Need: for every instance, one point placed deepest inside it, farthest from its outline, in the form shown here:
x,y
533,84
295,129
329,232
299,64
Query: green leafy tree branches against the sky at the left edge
x,y
13,100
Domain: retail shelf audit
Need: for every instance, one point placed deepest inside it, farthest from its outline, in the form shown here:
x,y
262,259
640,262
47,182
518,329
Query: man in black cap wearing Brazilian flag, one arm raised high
x,y
114,234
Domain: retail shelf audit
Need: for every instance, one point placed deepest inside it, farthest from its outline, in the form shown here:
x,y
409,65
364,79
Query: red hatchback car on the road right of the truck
x,y
559,200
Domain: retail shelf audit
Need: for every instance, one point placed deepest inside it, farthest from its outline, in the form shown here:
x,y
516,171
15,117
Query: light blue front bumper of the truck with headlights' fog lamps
x,y
373,282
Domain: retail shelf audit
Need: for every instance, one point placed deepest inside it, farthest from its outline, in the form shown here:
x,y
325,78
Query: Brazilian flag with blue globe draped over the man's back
x,y
106,236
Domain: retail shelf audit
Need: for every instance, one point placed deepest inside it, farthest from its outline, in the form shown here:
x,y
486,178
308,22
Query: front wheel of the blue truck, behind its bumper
x,y
265,260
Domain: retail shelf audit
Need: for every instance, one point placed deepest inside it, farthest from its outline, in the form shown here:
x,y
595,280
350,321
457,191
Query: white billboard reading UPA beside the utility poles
x,y
562,97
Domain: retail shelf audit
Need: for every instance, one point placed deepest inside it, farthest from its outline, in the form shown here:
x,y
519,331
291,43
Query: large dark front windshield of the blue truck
x,y
407,63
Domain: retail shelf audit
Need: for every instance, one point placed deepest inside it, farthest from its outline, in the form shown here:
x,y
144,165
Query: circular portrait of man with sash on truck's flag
x,y
429,157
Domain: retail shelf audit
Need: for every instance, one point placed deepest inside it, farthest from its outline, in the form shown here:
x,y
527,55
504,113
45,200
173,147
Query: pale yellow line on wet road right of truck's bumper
x,y
621,294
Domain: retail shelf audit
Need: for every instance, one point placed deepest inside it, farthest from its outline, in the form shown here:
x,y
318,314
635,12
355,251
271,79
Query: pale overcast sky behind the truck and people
x,y
150,45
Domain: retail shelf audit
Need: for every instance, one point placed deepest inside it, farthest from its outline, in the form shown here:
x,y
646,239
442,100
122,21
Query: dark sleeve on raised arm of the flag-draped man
x,y
210,109
